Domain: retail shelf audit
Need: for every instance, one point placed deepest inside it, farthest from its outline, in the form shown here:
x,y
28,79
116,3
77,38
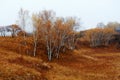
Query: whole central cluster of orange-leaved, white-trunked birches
x,y
57,34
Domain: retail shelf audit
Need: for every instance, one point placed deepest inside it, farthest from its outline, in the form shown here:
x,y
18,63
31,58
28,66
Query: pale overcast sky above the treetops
x,y
90,12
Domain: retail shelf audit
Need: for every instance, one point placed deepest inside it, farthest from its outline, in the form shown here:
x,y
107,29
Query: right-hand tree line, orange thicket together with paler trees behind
x,y
102,35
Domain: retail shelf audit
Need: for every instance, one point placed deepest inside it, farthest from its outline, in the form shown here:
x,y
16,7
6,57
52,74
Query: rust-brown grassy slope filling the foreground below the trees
x,y
83,64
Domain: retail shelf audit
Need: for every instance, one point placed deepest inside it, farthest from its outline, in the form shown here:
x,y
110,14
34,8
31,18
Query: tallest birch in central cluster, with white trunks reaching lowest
x,y
48,31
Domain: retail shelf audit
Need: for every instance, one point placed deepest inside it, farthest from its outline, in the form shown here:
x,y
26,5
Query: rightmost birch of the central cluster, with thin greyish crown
x,y
72,25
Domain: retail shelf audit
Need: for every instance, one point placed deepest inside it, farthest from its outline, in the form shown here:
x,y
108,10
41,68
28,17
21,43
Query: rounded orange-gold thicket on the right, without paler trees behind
x,y
96,35
